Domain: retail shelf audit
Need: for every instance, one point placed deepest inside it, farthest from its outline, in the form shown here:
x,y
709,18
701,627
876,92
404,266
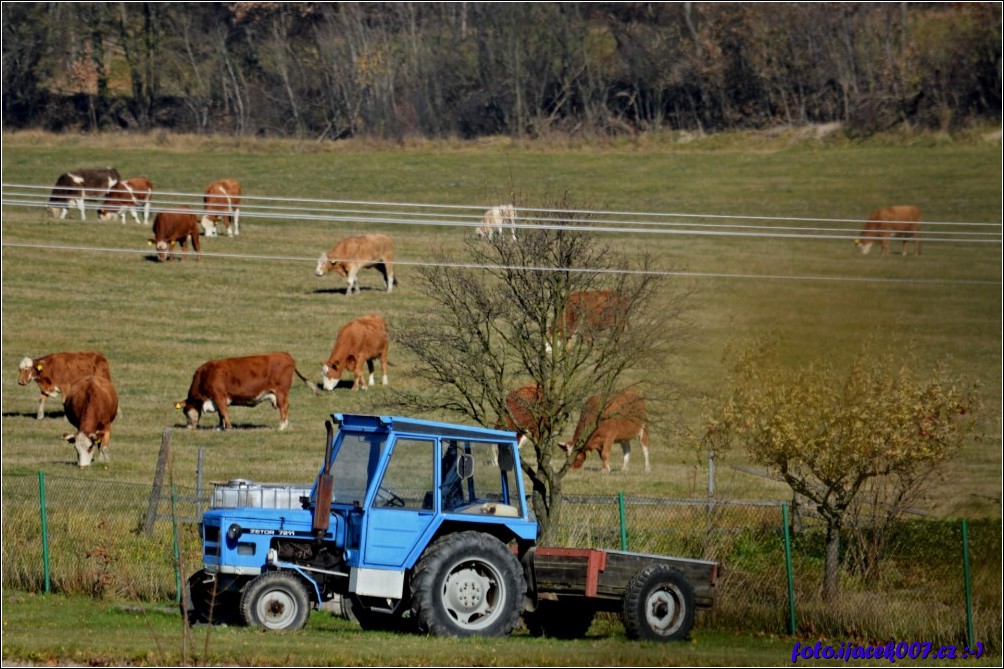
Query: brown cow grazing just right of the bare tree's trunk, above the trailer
x,y
624,419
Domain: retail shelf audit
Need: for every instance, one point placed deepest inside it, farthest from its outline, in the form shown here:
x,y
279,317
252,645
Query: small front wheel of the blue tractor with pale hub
x,y
277,601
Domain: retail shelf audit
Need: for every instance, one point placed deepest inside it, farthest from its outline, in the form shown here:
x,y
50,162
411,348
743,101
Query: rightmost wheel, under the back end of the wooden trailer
x,y
659,605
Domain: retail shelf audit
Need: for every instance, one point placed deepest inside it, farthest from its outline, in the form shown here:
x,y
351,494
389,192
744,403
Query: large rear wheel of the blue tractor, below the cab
x,y
468,584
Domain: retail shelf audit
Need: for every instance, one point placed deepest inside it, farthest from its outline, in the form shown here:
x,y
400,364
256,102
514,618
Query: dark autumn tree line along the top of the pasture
x,y
468,70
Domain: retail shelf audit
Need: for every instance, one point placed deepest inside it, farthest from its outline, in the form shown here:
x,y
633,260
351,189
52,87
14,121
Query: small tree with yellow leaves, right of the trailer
x,y
831,432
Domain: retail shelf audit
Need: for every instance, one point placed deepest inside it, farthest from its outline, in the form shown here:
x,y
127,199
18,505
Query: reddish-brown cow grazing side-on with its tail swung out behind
x,y
241,382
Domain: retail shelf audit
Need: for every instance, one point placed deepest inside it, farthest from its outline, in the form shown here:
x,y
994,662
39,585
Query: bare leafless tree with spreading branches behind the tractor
x,y
496,313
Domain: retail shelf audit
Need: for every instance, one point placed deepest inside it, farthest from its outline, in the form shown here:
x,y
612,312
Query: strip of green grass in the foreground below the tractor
x,y
152,635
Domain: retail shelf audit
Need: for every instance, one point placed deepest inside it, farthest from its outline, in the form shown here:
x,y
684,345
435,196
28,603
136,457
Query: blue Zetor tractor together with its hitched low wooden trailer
x,y
424,526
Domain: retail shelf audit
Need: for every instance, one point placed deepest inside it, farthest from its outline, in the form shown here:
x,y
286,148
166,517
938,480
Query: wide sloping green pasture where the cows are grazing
x,y
73,286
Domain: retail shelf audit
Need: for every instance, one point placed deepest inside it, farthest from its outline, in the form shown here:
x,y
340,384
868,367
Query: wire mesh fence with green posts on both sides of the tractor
x,y
125,541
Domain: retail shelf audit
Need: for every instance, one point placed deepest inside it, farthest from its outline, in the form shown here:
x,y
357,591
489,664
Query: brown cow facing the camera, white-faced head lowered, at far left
x,y
91,405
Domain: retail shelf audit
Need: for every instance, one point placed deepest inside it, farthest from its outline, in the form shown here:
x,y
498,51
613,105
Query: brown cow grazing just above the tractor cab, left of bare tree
x,y
361,341
